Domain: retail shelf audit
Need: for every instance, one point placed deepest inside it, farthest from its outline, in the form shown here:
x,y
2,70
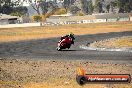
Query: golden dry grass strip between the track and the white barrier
x,y
17,34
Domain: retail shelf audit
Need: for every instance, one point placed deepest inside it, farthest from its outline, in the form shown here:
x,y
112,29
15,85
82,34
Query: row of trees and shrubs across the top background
x,y
42,7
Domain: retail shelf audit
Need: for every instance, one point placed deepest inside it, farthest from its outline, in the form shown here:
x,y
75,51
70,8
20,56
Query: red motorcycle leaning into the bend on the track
x,y
64,43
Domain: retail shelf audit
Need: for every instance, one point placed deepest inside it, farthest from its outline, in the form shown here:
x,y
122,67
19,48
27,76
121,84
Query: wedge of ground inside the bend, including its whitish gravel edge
x,y
123,43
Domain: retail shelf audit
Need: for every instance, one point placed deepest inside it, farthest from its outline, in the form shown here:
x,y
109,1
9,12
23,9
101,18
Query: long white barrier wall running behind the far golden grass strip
x,y
65,22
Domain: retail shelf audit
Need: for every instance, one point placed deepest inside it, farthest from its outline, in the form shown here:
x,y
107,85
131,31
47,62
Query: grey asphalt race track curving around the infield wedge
x,y
46,49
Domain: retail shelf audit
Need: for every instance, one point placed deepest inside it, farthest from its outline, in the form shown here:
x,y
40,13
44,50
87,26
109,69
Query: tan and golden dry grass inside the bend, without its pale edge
x,y
119,42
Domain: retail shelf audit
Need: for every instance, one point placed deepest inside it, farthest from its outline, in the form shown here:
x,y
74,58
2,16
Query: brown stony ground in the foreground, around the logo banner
x,y
27,73
